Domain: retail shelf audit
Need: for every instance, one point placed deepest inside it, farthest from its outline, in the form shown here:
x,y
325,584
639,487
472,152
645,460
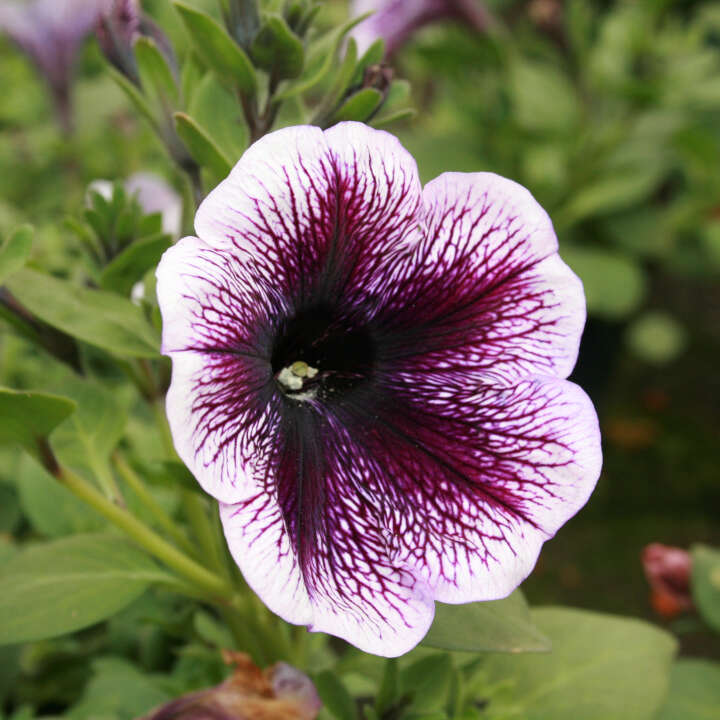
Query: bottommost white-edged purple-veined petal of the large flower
x,y
346,583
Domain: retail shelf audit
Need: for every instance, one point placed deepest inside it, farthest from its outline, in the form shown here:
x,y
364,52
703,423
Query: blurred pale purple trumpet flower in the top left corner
x,y
51,33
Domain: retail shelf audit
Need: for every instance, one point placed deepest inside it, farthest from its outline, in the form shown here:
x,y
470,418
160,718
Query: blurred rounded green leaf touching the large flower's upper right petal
x,y
614,284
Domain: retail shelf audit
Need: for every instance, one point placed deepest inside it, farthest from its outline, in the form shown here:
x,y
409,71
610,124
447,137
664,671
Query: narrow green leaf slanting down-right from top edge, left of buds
x,y
218,50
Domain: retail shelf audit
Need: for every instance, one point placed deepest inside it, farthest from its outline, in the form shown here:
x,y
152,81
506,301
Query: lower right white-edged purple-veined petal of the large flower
x,y
496,471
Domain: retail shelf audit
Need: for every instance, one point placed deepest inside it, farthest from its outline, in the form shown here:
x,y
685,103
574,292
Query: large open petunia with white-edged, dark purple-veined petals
x,y
369,377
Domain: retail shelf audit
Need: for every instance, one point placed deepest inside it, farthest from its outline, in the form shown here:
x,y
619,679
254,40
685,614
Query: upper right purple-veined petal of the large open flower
x,y
485,290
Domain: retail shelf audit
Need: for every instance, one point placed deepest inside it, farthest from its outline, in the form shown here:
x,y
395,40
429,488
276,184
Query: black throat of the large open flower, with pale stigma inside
x,y
317,354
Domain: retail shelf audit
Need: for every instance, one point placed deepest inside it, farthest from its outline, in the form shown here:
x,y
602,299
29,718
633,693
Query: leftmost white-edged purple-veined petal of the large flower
x,y
220,404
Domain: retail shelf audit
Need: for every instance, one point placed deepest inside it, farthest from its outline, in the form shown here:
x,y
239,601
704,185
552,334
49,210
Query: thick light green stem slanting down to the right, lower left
x,y
209,582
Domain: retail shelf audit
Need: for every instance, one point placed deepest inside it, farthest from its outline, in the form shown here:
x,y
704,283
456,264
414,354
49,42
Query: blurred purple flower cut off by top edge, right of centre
x,y
396,20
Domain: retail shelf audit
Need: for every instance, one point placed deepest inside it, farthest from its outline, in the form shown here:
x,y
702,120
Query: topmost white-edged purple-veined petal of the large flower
x,y
313,214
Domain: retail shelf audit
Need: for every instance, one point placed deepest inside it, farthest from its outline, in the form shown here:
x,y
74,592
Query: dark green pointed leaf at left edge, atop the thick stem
x,y
28,417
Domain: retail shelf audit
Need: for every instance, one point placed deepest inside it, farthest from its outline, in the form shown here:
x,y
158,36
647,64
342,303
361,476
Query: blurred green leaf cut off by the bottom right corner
x,y
694,691
